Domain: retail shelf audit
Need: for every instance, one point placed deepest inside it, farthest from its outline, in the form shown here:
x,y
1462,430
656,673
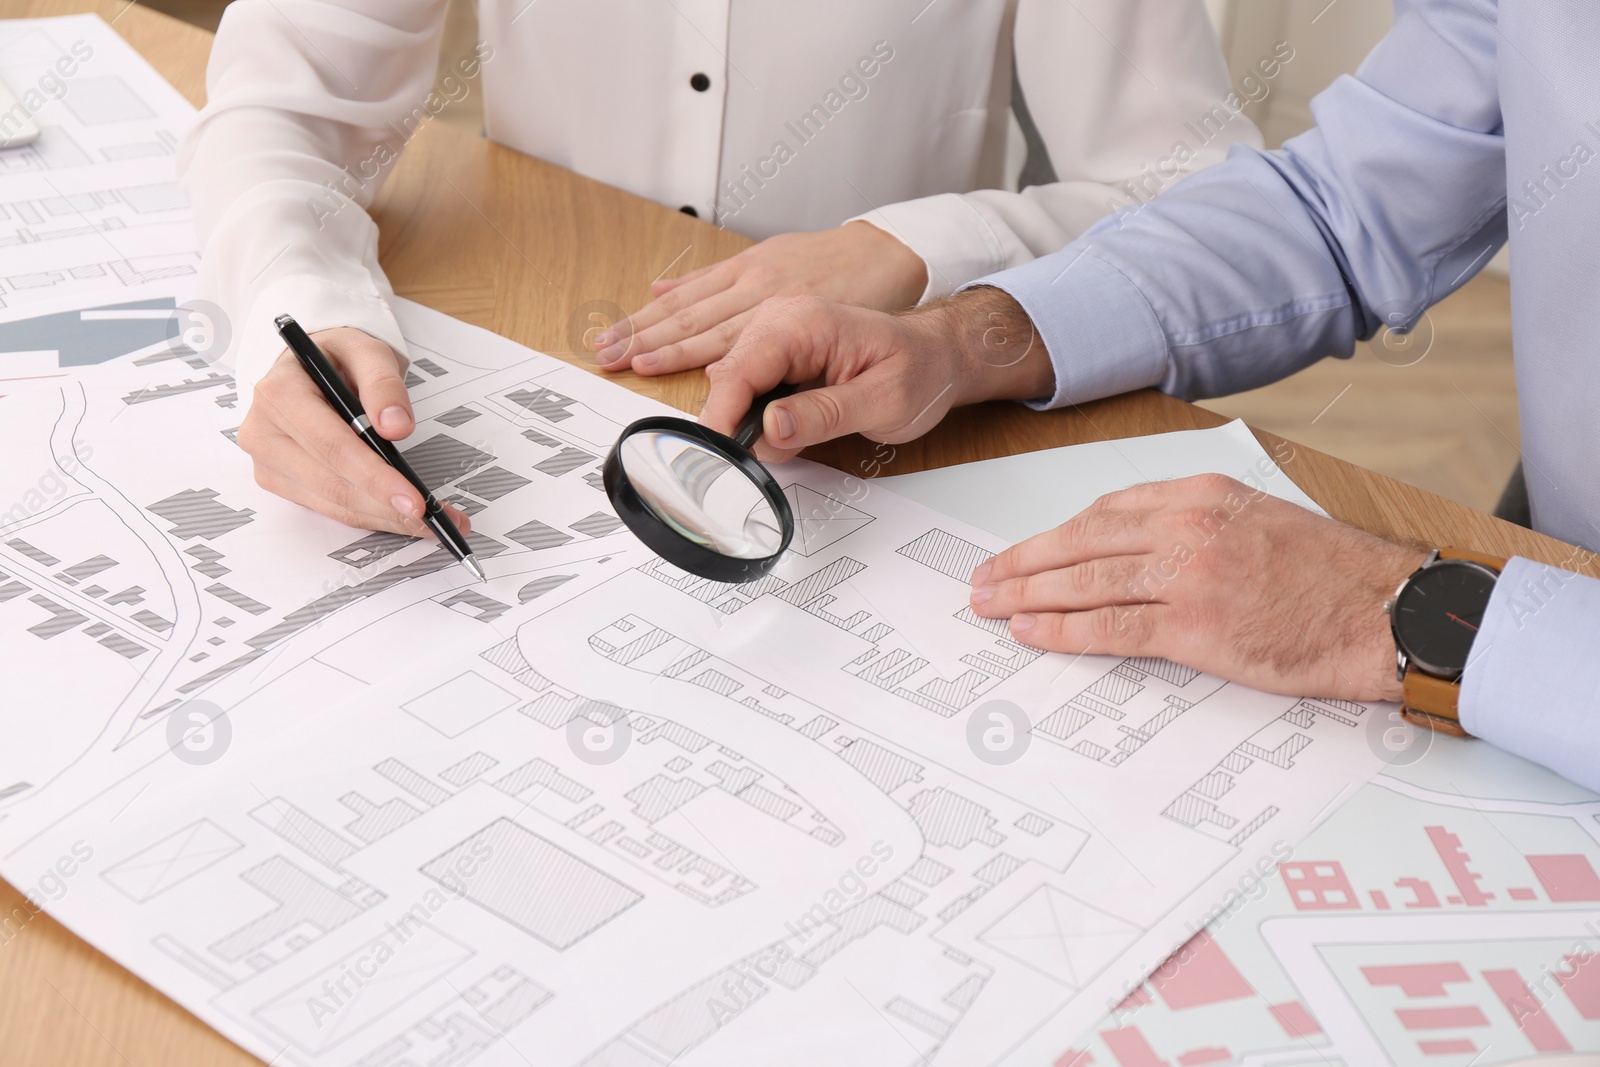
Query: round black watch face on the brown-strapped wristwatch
x,y
1439,612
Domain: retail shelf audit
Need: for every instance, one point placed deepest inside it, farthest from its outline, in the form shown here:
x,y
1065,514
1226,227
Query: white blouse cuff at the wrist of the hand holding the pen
x,y
316,305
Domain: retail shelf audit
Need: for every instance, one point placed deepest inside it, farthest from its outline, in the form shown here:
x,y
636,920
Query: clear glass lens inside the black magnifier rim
x,y
702,495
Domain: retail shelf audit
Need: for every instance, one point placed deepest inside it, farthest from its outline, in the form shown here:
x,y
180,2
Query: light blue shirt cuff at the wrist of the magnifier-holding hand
x,y
1102,334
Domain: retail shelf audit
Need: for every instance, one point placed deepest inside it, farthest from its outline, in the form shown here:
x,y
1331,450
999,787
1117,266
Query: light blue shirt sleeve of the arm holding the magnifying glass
x,y
1274,260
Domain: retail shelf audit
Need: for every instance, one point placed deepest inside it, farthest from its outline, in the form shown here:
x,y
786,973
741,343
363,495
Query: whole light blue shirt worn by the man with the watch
x,y
1471,122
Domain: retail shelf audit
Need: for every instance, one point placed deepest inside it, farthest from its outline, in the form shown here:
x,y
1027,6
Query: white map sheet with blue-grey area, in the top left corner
x,y
97,246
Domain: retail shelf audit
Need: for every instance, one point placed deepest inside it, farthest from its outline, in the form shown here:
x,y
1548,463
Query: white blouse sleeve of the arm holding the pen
x,y
310,103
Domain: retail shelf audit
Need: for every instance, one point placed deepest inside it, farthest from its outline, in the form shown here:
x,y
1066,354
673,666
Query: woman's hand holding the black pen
x,y
310,455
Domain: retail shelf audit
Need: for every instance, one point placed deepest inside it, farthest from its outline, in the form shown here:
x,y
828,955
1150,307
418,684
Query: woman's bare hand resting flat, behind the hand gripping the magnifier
x,y
698,318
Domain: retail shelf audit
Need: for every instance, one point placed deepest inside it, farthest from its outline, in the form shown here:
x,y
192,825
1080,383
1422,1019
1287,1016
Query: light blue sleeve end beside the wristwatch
x,y
1534,684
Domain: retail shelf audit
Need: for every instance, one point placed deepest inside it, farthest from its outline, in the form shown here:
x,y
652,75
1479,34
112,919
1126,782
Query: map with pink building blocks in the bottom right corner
x,y
1447,914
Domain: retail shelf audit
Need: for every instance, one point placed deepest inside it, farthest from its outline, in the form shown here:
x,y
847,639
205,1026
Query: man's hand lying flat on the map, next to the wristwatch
x,y
1214,575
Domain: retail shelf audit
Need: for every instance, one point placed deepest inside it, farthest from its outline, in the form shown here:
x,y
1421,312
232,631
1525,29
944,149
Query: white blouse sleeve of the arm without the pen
x,y
1121,92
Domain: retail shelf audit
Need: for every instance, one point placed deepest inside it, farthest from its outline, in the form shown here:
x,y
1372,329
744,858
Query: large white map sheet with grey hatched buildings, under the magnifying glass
x,y
351,809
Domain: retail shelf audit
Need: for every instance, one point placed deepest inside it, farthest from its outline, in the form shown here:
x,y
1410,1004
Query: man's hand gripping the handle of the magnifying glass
x,y
889,378
